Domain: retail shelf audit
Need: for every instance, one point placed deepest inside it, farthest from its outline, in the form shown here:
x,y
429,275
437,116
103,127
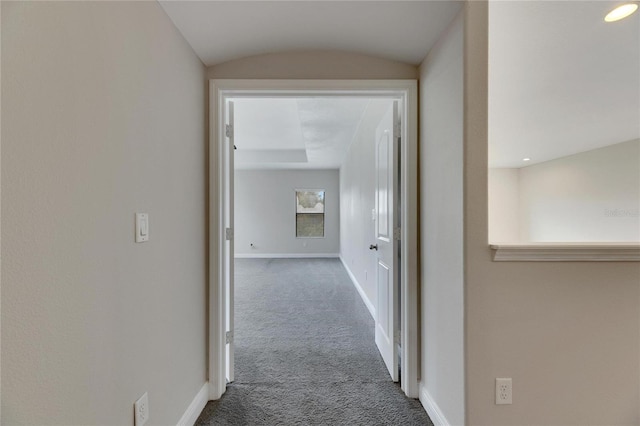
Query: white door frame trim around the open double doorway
x,y
404,90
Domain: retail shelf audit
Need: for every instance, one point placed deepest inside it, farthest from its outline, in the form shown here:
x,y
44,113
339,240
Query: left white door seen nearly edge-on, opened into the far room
x,y
228,246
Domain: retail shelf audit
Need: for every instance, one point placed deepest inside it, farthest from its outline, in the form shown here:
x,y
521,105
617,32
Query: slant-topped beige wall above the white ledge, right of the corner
x,y
591,196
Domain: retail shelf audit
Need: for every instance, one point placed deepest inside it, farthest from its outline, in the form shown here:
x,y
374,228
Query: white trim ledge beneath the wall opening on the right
x,y
566,252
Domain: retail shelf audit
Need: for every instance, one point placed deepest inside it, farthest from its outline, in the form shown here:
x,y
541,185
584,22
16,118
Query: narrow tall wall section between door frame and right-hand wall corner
x,y
441,217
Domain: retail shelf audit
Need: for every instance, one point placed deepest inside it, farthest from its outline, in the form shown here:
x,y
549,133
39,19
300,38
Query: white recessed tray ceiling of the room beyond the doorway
x,y
295,133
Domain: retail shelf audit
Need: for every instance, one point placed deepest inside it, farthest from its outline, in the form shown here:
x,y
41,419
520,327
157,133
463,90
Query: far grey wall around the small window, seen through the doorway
x,y
265,212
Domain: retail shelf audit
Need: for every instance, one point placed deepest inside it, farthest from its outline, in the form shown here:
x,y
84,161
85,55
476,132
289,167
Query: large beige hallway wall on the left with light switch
x,y
103,115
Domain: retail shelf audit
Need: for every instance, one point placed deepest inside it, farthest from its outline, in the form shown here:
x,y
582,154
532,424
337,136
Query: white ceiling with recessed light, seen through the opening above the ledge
x,y
561,80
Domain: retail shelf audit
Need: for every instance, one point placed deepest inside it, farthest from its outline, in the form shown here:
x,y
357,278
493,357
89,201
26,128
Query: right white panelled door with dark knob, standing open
x,y
386,243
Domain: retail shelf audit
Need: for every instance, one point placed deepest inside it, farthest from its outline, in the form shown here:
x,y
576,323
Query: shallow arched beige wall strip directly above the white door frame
x,y
313,65
